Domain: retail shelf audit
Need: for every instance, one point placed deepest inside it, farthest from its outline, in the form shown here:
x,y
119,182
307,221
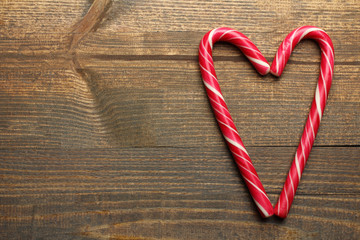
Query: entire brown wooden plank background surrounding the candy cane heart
x,y
106,131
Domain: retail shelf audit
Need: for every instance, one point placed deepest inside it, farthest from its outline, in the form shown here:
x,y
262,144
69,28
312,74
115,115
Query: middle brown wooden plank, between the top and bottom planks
x,y
160,103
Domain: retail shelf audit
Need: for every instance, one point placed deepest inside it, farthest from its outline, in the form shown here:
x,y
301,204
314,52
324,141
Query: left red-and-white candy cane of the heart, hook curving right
x,y
222,113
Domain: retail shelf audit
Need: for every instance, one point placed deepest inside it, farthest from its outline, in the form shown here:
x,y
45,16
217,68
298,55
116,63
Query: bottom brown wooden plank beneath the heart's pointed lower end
x,y
172,193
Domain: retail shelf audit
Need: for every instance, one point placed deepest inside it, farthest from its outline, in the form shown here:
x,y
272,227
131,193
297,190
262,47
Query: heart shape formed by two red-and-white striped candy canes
x,y
227,125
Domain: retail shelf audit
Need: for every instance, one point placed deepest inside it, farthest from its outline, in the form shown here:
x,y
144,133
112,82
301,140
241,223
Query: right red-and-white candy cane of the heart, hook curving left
x,y
317,108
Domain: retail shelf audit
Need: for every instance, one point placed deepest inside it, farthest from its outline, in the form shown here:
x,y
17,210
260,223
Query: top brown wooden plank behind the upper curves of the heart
x,y
174,27
